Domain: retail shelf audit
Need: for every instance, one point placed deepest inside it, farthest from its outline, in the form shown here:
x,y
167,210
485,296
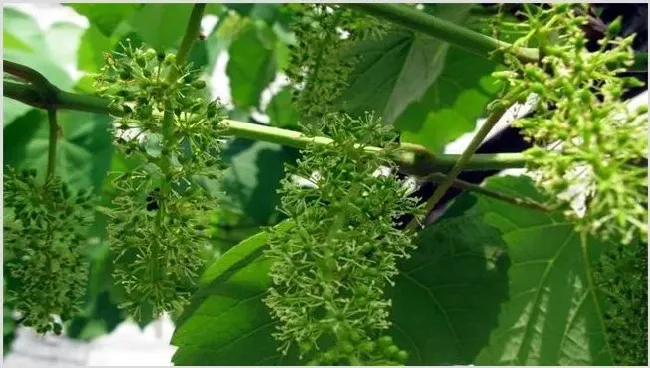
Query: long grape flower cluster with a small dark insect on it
x,y
157,232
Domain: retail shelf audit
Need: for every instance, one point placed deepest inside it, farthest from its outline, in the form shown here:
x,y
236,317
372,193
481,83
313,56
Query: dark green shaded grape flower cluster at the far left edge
x,y
45,230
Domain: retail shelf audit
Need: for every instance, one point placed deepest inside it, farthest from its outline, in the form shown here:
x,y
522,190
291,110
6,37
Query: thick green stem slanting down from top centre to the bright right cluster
x,y
465,38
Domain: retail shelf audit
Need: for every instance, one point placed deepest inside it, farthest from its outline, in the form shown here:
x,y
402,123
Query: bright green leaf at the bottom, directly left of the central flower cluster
x,y
227,322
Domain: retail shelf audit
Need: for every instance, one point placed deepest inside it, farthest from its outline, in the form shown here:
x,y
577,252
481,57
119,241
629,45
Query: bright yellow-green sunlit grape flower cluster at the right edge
x,y
599,144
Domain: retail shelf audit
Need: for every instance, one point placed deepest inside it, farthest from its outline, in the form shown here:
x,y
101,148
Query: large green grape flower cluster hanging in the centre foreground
x,y
330,269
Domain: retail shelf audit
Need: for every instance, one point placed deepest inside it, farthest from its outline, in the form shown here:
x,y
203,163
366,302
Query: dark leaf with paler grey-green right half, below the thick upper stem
x,y
398,69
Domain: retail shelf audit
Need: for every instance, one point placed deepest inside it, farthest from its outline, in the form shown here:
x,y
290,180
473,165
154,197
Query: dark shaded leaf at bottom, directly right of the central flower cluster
x,y
448,295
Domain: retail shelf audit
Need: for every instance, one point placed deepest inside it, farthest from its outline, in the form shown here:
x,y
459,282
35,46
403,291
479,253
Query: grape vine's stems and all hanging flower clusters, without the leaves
x,y
331,267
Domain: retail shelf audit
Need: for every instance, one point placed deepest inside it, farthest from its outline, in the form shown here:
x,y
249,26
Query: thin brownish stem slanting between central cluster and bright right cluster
x,y
464,158
